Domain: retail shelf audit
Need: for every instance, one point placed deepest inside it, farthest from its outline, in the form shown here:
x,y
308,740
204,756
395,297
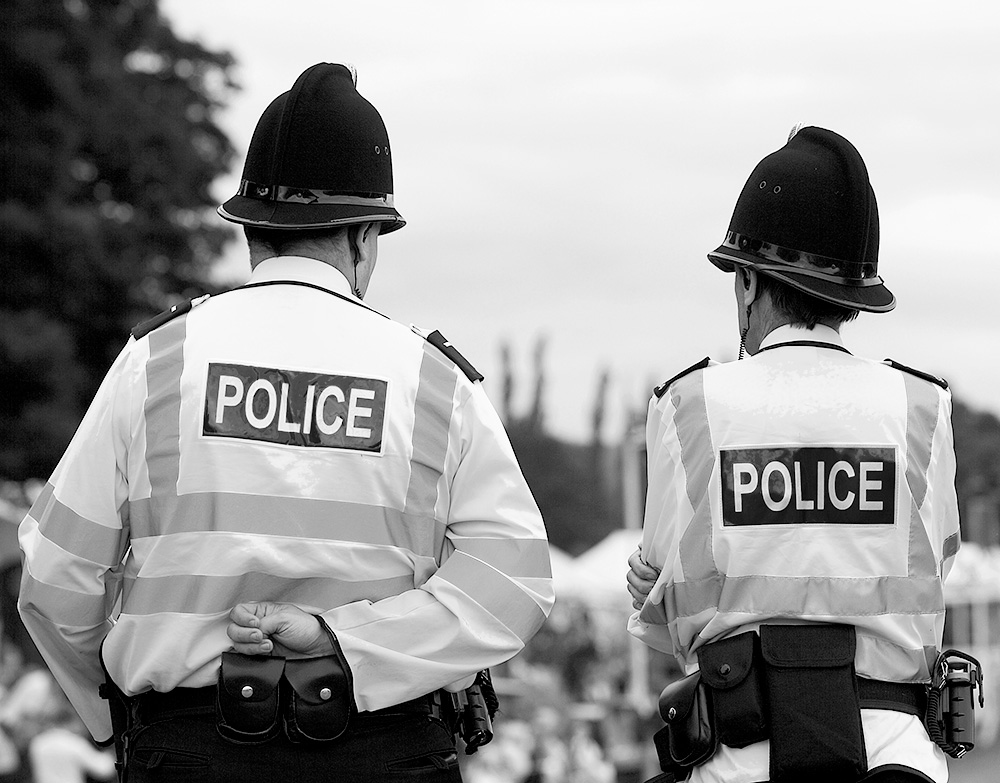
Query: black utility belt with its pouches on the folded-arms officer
x,y
794,685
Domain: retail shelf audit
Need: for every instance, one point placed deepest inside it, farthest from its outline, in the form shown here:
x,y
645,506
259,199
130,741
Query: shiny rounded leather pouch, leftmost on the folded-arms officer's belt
x,y
688,739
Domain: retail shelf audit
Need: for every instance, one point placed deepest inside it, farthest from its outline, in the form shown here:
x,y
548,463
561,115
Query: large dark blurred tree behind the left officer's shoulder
x,y
108,147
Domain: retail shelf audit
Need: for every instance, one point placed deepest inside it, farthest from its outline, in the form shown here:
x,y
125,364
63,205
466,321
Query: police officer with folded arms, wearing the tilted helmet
x,y
801,513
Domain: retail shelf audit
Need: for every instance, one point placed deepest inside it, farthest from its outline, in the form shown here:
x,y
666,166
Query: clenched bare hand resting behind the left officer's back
x,y
268,628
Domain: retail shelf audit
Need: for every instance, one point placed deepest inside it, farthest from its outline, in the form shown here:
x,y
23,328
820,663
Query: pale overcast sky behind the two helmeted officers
x,y
564,166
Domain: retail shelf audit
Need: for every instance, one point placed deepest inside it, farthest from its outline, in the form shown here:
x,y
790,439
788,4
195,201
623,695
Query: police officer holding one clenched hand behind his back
x,y
310,515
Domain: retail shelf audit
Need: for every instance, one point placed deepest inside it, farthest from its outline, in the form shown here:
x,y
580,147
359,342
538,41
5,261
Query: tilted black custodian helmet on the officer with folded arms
x,y
808,217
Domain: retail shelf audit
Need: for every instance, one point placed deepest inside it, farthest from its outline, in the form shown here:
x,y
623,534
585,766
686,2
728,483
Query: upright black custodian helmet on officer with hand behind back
x,y
319,158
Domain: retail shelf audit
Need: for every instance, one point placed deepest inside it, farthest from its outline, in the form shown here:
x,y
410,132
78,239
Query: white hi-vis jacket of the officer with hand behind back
x,y
288,444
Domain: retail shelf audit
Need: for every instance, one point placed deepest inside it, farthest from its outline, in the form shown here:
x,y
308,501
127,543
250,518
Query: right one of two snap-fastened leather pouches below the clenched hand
x,y
320,701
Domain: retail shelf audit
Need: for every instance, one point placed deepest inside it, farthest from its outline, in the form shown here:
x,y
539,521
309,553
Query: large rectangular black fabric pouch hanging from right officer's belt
x,y
812,695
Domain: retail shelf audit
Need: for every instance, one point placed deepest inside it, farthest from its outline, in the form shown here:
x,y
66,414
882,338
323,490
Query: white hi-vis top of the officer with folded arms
x,y
803,484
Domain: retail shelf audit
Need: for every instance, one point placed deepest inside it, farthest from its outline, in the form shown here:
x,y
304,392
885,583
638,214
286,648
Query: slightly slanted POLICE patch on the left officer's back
x,y
295,408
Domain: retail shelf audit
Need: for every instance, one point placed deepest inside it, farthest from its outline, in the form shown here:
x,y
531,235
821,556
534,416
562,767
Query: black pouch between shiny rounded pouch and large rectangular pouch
x,y
733,671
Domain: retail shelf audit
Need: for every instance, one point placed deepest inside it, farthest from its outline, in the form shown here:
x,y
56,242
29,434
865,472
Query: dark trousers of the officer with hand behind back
x,y
186,748
